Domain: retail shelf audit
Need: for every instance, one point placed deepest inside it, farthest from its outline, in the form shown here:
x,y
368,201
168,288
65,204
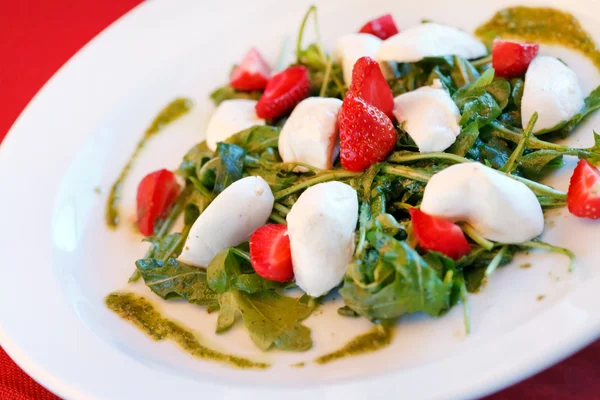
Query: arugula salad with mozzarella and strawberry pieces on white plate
x,y
400,170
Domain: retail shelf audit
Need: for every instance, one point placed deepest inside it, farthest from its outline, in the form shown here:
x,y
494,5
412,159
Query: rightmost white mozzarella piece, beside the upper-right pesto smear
x,y
552,90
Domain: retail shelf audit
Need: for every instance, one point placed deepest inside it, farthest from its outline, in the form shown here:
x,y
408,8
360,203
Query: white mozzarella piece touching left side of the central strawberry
x,y
310,134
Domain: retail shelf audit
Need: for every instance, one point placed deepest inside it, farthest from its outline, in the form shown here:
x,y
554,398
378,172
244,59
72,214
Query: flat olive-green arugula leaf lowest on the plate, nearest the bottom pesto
x,y
268,316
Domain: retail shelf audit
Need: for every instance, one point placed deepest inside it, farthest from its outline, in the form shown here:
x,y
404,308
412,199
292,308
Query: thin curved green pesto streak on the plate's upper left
x,y
168,114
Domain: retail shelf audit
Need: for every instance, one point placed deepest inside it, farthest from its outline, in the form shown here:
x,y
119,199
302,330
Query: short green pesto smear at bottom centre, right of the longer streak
x,y
377,338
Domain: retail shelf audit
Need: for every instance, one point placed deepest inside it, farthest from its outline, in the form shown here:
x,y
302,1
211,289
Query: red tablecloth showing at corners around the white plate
x,y
38,36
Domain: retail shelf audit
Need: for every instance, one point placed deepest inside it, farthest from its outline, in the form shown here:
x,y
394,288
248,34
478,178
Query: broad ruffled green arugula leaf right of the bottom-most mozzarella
x,y
393,280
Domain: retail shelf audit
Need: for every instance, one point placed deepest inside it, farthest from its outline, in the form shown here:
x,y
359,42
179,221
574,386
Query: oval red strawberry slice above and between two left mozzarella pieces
x,y
284,90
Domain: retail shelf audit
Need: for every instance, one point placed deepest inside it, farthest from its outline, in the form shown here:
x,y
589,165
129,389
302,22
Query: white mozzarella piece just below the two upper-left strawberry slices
x,y
231,117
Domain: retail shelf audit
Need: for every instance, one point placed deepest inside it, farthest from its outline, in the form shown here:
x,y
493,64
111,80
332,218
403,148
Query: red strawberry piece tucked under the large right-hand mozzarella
x,y
437,234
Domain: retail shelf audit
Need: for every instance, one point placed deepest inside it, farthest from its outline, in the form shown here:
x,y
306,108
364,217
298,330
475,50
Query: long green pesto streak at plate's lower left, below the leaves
x,y
140,312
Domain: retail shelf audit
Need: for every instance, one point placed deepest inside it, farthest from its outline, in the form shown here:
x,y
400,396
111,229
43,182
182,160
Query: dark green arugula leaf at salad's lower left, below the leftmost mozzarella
x,y
173,279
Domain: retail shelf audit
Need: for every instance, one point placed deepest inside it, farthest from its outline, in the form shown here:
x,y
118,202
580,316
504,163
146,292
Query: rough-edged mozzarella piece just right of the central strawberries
x,y
430,117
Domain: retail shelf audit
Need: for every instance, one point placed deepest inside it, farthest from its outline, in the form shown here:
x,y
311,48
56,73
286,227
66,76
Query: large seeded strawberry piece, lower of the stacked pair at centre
x,y
367,135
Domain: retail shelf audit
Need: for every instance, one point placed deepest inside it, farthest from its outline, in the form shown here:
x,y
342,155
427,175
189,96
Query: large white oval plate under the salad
x,y
59,260
